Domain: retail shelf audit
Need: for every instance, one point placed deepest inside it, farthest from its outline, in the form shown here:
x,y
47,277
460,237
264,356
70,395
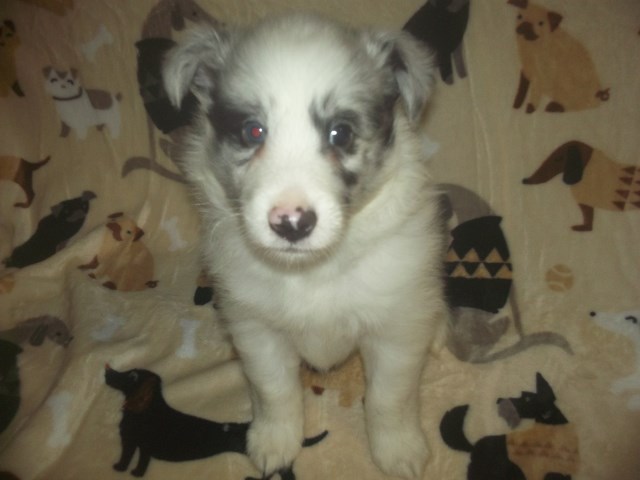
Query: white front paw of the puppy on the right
x,y
400,452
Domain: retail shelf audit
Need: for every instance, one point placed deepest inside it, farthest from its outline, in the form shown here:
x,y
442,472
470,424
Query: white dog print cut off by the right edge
x,y
627,324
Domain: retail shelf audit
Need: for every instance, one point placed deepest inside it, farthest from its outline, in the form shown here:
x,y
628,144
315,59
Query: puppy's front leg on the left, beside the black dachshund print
x,y
272,367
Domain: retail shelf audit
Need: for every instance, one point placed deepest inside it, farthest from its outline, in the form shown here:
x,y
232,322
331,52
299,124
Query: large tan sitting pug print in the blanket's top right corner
x,y
554,64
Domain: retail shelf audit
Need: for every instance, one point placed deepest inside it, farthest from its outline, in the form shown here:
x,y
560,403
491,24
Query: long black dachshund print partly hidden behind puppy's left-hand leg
x,y
157,430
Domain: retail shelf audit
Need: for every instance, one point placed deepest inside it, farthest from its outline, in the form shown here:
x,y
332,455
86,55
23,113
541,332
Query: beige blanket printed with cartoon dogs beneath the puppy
x,y
106,315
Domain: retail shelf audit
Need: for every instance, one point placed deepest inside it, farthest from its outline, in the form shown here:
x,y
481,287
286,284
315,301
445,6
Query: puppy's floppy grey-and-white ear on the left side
x,y
193,65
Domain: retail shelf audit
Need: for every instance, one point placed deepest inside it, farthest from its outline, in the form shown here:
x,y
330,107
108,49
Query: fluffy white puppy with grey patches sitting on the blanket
x,y
319,221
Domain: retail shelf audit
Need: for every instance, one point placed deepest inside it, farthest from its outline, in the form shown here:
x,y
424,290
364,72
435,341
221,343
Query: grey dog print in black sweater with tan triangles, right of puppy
x,y
479,282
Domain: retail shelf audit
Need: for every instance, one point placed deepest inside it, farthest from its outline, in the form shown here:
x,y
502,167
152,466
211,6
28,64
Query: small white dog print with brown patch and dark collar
x,y
80,108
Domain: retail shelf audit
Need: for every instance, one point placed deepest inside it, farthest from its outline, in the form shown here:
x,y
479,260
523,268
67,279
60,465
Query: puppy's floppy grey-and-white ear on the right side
x,y
410,61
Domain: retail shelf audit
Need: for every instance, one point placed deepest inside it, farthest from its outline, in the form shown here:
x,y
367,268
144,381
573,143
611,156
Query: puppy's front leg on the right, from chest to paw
x,y
392,412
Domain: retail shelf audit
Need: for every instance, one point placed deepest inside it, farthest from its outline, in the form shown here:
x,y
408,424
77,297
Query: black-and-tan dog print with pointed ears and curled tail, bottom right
x,y
548,449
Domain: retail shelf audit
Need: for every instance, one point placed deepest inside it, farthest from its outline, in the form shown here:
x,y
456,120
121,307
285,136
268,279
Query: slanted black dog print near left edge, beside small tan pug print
x,y
53,232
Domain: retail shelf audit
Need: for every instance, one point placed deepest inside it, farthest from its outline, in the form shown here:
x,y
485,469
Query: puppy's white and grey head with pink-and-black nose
x,y
299,121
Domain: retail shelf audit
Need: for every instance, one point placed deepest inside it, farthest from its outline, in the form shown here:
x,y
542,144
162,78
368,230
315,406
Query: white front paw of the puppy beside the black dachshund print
x,y
274,445
